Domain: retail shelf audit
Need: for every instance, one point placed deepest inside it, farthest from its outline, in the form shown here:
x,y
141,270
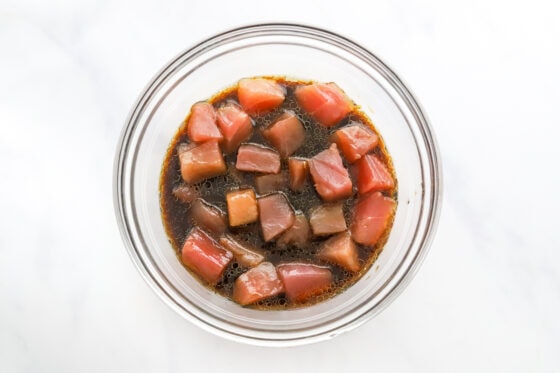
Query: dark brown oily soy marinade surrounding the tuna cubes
x,y
178,223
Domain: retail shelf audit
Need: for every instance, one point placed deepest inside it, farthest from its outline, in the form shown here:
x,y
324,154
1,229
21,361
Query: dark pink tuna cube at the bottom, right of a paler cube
x,y
302,281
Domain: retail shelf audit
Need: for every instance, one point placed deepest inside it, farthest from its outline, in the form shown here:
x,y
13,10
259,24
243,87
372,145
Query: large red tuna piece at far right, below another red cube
x,y
372,213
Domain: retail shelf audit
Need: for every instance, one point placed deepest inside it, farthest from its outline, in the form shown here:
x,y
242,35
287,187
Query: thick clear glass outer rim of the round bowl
x,y
421,119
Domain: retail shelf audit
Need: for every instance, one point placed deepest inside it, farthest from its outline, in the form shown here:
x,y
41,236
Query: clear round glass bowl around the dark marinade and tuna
x,y
297,52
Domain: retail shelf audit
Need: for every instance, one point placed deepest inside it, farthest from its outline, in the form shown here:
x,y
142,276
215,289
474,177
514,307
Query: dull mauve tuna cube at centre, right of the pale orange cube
x,y
276,215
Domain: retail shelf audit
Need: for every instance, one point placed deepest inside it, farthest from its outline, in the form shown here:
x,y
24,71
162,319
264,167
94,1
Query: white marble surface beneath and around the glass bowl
x,y
488,295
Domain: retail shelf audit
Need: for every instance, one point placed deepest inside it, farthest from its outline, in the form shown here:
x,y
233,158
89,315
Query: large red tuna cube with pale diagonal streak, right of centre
x,y
331,179
